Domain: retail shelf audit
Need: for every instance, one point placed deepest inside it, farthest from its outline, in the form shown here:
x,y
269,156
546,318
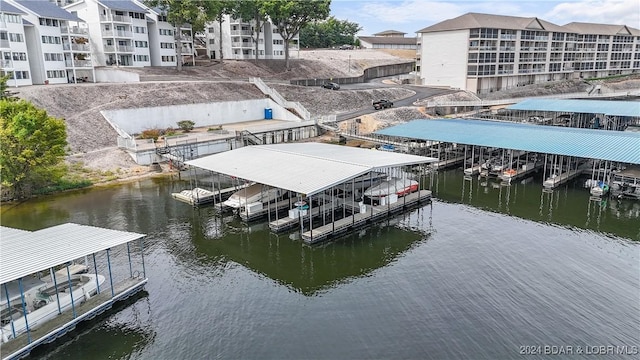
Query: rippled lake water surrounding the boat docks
x,y
484,272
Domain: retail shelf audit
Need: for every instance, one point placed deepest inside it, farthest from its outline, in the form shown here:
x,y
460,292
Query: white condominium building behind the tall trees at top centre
x,y
238,40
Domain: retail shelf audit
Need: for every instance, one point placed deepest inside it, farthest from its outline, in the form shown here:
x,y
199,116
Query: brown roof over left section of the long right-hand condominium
x,y
476,20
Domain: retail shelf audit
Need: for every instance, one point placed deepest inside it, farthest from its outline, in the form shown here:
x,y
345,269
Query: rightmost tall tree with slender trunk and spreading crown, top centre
x,y
289,16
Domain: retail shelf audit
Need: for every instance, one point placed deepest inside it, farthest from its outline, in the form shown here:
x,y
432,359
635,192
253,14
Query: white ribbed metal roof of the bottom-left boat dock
x,y
24,253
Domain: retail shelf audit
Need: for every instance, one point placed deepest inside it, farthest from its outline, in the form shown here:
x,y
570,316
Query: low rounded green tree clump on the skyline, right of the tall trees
x,y
328,33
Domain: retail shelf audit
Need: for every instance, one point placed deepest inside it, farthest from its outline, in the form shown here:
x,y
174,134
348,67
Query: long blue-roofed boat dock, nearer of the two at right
x,y
561,151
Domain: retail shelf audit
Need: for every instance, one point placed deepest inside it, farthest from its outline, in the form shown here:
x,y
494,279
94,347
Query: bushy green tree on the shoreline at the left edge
x,y
32,147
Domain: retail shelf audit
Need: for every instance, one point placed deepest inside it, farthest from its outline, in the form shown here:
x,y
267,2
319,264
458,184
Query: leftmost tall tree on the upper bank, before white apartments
x,y
180,12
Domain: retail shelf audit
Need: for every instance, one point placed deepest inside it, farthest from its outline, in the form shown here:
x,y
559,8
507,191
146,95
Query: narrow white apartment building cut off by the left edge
x,y
14,58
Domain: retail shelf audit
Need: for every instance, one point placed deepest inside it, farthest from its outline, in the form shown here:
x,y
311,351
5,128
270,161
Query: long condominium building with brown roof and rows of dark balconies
x,y
484,53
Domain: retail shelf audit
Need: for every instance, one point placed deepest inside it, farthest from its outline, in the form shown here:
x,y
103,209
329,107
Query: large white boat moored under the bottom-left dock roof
x,y
40,299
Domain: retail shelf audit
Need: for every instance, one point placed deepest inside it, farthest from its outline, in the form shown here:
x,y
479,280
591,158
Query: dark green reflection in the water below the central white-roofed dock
x,y
306,269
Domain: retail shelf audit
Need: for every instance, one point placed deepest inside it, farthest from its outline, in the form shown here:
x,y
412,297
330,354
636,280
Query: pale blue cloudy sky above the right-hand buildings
x,y
409,16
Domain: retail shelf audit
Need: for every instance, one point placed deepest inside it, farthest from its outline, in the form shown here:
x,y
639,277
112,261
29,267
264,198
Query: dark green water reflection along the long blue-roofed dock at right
x,y
569,205
